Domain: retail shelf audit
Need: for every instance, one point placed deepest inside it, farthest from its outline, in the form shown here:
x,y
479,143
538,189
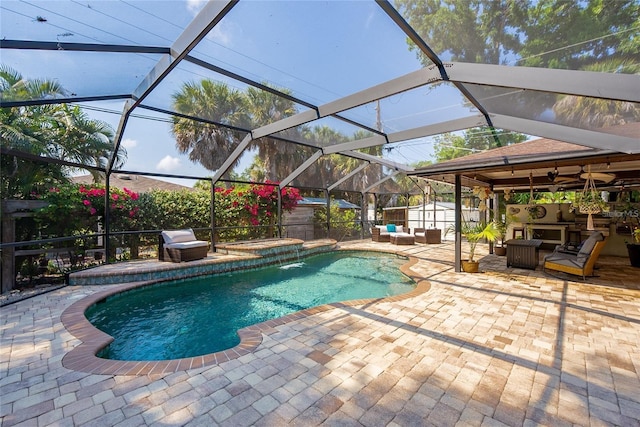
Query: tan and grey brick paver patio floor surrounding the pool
x,y
506,346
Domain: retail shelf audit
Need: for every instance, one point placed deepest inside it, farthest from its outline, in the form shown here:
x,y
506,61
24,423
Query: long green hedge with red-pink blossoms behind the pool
x,y
248,211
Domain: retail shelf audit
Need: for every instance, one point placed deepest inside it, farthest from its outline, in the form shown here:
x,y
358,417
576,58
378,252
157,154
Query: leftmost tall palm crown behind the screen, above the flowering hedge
x,y
209,144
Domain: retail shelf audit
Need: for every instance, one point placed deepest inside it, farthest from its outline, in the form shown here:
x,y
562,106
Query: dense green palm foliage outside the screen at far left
x,y
58,131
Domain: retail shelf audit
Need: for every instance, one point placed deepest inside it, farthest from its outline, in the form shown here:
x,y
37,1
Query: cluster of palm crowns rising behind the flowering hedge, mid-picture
x,y
211,144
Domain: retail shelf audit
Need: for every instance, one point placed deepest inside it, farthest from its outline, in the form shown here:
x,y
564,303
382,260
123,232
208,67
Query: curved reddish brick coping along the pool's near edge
x,y
84,357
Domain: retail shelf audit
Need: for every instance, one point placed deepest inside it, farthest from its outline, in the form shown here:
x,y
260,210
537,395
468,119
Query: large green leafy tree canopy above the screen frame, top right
x,y
545,33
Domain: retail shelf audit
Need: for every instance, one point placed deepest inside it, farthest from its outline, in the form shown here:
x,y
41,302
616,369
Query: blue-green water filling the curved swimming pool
x,y
193,317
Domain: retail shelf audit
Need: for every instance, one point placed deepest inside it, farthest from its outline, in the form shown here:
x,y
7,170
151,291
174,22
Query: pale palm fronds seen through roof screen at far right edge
x,y
596,113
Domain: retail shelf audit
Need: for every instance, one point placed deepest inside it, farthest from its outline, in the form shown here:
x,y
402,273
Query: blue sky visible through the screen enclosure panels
x,y
320,51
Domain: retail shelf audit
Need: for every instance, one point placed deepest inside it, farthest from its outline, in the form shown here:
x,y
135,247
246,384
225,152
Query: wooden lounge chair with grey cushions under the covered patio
x,y
580,263
